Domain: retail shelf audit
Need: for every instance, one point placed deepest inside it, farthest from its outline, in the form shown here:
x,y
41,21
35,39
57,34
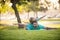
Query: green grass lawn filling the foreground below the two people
x,y
18,34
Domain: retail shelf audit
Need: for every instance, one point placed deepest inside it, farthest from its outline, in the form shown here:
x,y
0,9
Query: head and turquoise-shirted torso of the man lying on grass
x,y
34,26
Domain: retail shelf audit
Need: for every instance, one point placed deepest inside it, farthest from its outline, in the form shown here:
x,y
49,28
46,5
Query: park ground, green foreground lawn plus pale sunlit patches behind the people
x,y
10,32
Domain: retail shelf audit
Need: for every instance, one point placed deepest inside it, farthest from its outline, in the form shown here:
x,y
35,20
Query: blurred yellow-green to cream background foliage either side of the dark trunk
x,y
32,5
